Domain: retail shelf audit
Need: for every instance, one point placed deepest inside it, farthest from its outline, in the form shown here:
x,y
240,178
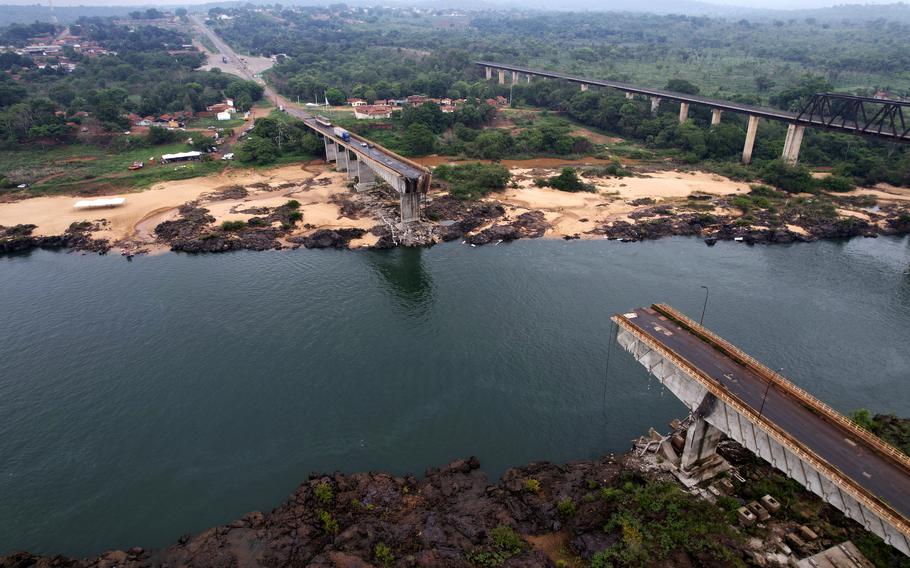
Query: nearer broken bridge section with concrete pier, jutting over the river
x,y
732,394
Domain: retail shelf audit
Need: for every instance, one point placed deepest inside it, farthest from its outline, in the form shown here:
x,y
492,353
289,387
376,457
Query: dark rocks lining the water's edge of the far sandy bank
x,y
480,223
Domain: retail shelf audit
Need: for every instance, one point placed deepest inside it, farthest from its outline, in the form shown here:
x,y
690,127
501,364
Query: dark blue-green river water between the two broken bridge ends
x,y
143,400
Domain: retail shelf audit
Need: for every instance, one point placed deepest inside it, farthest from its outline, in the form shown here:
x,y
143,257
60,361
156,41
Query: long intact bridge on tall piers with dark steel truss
x,y
877,118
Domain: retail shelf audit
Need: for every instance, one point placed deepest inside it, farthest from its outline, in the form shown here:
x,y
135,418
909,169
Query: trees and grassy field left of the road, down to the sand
x,y
73,109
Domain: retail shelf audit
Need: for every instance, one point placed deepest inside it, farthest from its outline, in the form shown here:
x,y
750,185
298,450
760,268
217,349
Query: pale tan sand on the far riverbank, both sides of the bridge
x,y
617,209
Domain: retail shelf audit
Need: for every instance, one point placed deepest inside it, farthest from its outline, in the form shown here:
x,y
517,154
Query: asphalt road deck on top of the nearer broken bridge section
x,y
878,474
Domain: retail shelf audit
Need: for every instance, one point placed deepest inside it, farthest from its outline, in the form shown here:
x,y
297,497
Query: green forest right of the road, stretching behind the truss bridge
x,y
337,52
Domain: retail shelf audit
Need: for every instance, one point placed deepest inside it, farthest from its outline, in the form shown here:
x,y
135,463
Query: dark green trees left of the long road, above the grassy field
x,y
145,71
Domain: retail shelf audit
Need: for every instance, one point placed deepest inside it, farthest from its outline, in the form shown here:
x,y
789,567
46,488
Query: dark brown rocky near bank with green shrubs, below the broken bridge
x,y
539,515
